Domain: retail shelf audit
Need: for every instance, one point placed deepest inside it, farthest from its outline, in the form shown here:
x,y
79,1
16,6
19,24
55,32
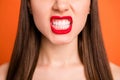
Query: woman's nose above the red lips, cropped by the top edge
x,y
61,6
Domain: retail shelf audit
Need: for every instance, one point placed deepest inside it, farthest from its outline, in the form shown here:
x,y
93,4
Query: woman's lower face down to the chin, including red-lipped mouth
x,y
60,21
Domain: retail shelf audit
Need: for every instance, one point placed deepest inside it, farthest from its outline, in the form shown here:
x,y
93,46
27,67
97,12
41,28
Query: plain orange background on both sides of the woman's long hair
x,y
109,16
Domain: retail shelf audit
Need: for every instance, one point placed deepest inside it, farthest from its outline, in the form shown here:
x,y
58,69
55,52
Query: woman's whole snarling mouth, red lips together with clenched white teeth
x,y
61,25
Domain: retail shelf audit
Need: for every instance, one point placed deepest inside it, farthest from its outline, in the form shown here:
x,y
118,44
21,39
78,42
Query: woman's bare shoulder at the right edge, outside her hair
x,y
115,71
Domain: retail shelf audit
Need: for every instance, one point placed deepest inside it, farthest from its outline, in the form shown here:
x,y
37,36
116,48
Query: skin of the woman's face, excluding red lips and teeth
x,y
77,9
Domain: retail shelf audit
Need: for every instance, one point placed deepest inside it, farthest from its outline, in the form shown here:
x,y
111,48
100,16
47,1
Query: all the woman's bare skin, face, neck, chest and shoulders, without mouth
x,y
57,61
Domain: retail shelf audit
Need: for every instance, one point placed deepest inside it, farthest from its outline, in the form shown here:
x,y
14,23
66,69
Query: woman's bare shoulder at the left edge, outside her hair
x,y
3,71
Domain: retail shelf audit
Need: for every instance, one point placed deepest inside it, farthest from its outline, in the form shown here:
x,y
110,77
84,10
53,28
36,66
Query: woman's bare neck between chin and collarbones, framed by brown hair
x,y
59,55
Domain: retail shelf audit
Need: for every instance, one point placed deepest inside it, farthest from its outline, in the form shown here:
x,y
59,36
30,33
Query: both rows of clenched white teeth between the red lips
x,y
61,24
